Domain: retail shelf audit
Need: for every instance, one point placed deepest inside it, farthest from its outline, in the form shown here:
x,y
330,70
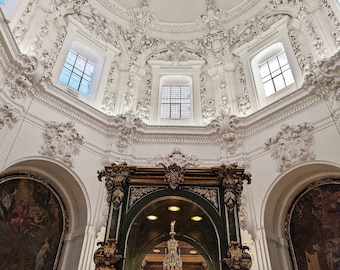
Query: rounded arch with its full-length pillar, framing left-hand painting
x,y
71,191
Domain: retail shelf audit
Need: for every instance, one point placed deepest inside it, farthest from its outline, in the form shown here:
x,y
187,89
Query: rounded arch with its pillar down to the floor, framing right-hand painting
x,y
278,200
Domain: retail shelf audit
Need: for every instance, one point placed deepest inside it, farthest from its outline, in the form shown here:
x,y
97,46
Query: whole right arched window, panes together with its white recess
x,y
271,70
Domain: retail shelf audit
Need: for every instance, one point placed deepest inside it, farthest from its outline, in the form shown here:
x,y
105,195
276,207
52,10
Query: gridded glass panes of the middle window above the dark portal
x,y
175,102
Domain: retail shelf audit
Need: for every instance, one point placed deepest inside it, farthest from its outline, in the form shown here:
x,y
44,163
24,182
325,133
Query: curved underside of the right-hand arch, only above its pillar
x,y
286,187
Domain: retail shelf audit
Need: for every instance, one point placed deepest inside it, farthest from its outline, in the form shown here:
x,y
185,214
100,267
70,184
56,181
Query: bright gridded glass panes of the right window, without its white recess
x,y
276,74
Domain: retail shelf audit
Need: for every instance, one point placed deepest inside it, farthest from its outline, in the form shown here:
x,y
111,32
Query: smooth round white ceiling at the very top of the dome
x,y
177,18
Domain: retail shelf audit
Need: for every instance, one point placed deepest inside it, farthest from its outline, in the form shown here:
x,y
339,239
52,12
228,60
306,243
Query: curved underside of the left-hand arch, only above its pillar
x,y
65,181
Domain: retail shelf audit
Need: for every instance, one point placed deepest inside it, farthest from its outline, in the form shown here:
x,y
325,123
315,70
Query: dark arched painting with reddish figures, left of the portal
x,y
32,224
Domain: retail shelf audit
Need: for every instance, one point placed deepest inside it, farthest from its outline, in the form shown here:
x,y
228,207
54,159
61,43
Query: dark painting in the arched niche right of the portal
x,y
314,227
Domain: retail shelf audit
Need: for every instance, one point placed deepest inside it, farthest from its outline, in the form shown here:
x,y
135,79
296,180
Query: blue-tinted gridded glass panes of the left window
x,y
77,72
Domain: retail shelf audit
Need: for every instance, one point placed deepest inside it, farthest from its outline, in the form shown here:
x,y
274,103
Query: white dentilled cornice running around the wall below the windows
x,y
26,67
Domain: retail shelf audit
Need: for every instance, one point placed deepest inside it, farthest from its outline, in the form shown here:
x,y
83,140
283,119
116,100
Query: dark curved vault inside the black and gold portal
x,y
144,234
